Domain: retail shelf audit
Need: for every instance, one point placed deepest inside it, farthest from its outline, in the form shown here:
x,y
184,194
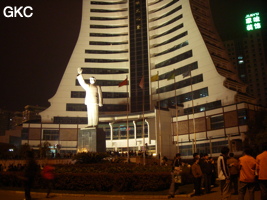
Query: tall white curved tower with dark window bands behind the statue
x,y
181,81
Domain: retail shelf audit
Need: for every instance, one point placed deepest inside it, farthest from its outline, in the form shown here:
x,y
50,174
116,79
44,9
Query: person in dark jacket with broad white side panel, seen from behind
x,y
223,173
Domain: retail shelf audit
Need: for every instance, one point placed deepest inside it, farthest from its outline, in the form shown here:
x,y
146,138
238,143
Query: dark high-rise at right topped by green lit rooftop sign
x,y
247,53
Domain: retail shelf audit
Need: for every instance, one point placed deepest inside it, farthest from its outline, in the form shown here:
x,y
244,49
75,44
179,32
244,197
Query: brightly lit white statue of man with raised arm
x,y
93,98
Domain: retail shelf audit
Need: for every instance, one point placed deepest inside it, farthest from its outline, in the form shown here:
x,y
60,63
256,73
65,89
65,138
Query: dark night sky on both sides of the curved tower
x,y
35,51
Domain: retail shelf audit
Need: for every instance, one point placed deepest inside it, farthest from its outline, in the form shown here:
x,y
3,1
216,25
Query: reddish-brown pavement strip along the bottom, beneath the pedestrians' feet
x,y
19,195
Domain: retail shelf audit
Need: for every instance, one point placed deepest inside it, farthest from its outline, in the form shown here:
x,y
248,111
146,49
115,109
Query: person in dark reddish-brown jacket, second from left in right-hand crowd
x,y
197,175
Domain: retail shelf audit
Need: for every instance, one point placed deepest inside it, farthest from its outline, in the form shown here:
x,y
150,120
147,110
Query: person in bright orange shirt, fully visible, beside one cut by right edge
x,y
247,175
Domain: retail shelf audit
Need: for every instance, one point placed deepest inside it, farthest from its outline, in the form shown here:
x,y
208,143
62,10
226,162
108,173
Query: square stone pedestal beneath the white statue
x,y
91,139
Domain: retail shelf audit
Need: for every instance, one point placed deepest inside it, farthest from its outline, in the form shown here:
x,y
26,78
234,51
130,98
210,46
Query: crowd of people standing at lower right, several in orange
x,y
236,176
